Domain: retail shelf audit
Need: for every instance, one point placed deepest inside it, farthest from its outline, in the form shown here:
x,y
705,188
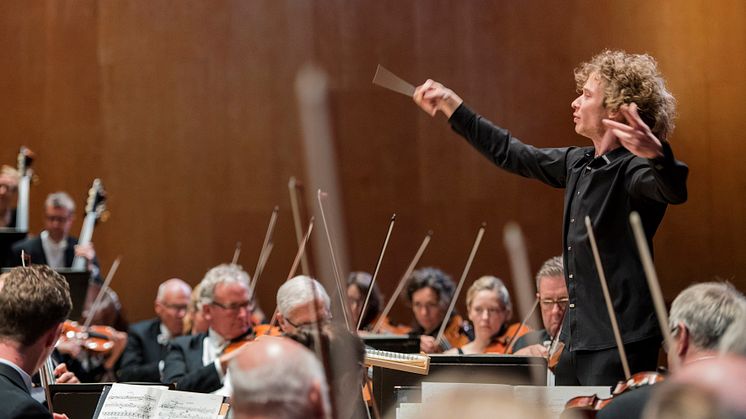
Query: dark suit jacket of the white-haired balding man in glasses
x,y
143,353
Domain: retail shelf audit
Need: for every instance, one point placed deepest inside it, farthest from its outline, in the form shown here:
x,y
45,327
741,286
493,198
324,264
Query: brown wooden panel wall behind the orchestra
x,y
187,111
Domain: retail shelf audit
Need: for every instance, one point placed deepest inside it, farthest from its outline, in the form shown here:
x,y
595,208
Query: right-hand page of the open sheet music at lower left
x,y
187,405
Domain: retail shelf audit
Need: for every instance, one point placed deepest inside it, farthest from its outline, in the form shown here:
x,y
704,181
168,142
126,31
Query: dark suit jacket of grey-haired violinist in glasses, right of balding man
x,y
183,366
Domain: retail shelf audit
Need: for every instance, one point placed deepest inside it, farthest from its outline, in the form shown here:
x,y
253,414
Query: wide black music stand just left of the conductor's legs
x,y
487,368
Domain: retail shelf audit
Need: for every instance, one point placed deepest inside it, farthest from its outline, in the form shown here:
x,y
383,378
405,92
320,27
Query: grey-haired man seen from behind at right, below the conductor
x,y
700,316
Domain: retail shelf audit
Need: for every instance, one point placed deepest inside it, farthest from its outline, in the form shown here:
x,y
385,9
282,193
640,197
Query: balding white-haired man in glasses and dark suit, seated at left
x,y
146,346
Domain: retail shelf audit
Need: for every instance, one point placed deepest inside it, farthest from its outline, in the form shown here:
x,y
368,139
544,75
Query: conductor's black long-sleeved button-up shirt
x,y
606,188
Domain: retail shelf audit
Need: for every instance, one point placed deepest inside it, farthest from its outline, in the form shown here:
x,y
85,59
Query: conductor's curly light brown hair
x,y
632,78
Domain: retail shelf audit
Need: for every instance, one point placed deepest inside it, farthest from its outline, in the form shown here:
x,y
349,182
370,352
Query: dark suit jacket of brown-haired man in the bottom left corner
x,y
16,400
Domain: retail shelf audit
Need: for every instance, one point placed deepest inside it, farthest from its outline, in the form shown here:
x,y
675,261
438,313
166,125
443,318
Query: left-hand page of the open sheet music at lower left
x,y
127,401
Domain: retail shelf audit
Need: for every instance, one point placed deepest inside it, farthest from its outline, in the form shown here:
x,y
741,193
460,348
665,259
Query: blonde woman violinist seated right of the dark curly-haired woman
x,y
490,310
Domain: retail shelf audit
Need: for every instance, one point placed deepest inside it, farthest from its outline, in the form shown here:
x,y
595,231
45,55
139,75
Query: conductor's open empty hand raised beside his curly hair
x,y
635,136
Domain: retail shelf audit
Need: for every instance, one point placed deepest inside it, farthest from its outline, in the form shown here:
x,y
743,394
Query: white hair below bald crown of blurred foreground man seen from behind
x,y
279,389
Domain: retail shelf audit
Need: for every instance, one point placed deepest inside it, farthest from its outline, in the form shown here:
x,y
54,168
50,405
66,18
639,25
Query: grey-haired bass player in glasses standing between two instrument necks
x,y
54,247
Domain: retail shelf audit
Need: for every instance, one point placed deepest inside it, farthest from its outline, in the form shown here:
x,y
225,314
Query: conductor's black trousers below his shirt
x,y
604,367
